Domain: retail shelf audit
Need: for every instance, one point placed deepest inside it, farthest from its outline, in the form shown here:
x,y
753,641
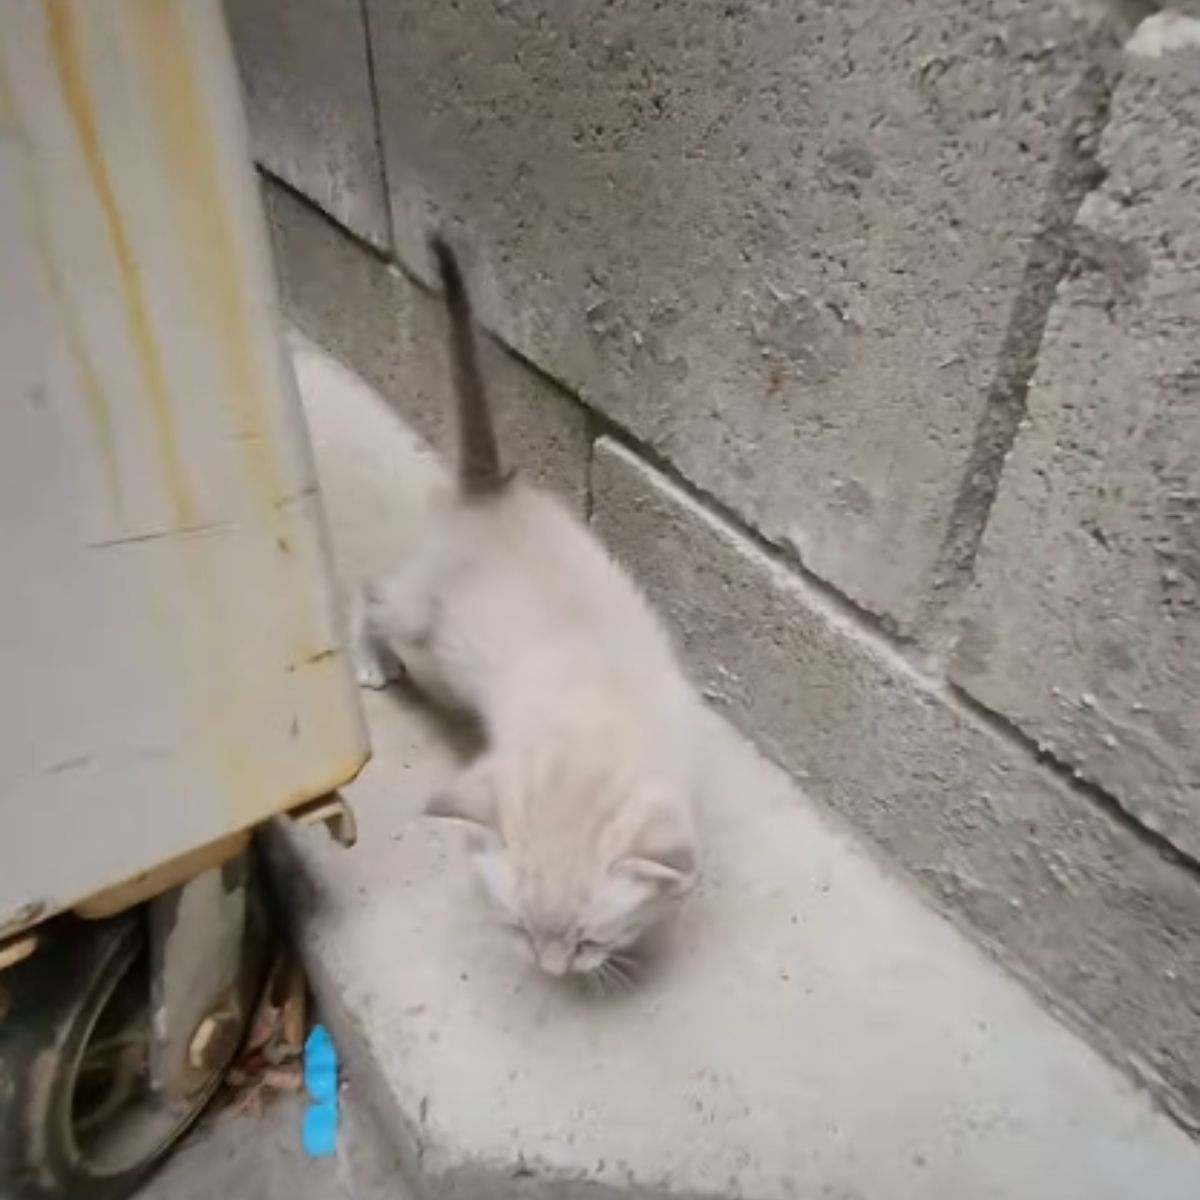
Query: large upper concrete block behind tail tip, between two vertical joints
x,y
794,247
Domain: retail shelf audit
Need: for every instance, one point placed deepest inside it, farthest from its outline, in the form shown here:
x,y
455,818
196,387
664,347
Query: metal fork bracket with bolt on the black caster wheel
x,y
196,957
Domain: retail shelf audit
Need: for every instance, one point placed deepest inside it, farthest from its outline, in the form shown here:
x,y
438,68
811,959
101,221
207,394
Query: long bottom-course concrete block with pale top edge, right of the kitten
x,y
1077,902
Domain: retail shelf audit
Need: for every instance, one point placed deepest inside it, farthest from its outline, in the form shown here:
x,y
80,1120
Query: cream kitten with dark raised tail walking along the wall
x,y
580,807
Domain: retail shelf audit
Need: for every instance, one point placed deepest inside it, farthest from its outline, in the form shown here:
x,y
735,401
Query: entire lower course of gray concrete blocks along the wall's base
x,y
1081,905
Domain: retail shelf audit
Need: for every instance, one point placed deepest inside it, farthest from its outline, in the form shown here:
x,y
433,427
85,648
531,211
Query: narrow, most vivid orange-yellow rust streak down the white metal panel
x,y
64,43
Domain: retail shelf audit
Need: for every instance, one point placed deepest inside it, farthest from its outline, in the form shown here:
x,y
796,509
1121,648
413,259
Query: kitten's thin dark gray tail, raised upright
x,y
479,459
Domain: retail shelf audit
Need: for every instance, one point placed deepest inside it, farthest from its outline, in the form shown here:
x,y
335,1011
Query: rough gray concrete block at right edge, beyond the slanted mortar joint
x,y
1084,621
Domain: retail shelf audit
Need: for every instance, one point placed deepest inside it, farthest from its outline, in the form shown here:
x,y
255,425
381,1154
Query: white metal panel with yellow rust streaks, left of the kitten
x,y
172,658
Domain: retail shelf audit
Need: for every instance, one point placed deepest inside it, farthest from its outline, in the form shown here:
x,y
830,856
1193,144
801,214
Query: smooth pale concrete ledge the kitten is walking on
x,y
811,1029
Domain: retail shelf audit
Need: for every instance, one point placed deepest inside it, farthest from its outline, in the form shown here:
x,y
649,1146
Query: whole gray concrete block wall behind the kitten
x,y
871,338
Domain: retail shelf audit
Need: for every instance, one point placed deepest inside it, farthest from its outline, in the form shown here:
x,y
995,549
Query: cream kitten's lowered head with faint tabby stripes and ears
x,y
604,862
